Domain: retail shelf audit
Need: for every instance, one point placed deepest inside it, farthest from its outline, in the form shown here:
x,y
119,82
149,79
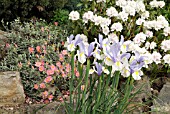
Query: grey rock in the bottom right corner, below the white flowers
x,y
162,103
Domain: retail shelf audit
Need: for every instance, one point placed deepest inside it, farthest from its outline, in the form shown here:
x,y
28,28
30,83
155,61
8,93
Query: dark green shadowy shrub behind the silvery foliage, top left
x,y
26,9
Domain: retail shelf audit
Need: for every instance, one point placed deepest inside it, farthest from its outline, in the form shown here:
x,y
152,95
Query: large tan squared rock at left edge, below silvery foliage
x,y
11,89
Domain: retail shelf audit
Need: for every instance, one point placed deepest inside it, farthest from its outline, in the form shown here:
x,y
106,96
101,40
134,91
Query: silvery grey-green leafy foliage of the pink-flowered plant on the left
x,y
19,58
